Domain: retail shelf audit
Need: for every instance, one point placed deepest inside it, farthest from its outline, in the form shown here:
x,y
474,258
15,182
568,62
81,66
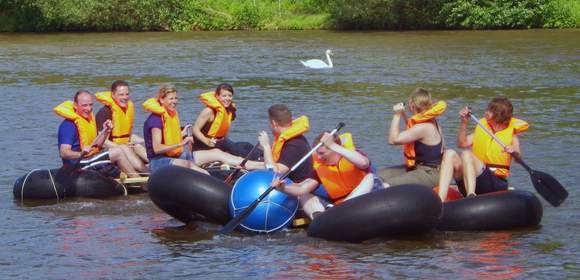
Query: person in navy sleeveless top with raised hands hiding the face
x,y
423,142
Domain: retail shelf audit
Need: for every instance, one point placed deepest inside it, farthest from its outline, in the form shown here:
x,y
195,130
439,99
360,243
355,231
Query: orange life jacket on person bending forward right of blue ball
x,y
341,179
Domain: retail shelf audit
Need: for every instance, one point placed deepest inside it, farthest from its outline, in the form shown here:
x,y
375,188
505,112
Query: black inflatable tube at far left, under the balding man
x,y
54,184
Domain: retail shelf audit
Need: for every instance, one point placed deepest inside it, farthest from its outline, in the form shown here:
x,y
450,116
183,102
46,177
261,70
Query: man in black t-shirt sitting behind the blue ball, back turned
x,y
289,145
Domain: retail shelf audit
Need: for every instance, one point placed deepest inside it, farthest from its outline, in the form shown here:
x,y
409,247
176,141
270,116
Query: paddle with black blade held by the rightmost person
x,y
546,185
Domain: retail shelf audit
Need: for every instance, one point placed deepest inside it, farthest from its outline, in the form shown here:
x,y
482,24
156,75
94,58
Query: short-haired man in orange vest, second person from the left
x,y
118,107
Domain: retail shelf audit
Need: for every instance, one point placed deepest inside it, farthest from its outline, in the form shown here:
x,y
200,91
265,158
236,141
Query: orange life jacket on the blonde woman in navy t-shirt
x,y
171,126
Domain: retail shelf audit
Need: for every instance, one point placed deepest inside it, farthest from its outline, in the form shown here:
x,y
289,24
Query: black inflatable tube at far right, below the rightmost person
x,y
492,211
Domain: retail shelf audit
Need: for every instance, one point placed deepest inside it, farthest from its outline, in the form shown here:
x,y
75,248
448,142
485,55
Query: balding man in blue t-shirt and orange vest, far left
x,y
77,134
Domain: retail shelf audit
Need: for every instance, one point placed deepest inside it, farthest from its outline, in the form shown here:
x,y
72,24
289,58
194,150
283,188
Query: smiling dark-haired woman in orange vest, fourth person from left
x,y
213,122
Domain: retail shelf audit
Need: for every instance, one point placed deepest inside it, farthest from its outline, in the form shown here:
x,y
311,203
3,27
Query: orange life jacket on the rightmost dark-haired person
x,y
490,152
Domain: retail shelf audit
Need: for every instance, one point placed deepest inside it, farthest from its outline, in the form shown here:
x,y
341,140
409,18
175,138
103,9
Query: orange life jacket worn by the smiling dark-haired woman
x,y
222,119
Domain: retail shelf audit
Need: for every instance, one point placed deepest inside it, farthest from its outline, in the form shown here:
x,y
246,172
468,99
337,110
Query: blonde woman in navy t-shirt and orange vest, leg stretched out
x,y
163,137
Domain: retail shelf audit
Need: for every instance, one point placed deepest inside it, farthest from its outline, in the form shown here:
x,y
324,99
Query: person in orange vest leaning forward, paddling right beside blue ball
x,y
341,173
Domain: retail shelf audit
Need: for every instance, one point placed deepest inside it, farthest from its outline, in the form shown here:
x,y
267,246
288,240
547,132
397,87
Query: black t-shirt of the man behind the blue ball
x,y
292,151
